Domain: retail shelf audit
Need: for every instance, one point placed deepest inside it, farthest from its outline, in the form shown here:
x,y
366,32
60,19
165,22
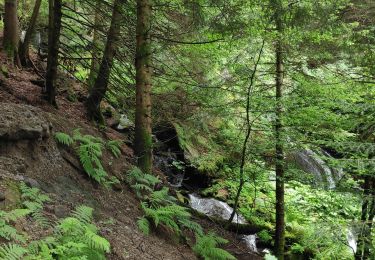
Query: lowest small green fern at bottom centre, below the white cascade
x,y
207,247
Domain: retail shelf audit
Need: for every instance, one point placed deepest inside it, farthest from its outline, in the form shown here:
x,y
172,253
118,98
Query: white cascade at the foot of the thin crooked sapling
x,y
214,208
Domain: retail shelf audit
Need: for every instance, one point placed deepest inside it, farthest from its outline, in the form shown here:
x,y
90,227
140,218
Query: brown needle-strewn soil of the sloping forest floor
x,y
57,172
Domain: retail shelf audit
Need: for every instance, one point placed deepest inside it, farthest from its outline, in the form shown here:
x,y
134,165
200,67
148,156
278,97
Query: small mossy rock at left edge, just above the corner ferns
x,y
12,194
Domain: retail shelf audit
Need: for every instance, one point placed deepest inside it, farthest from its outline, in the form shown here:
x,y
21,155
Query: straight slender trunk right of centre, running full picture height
x,y
279,149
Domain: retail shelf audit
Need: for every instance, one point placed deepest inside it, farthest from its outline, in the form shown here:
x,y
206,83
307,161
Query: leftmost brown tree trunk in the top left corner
x,y
11,30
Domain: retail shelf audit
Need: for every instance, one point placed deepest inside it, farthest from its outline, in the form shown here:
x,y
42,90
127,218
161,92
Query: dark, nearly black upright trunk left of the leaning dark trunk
x,y
55,15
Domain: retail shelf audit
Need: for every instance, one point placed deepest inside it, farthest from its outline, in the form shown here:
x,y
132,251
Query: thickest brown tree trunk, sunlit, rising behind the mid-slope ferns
x,y
143,139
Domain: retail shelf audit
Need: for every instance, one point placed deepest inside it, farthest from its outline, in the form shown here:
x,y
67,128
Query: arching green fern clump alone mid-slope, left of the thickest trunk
x,y
89,150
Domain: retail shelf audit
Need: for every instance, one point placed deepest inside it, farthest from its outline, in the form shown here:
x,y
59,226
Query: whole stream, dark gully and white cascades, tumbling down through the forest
x,y
169,158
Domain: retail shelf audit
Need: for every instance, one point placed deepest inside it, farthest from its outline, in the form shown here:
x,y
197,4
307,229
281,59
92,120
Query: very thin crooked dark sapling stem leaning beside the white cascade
x,y
247,136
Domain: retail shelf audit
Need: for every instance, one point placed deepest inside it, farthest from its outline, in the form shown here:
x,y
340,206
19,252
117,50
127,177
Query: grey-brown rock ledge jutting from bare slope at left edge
x,y
19,121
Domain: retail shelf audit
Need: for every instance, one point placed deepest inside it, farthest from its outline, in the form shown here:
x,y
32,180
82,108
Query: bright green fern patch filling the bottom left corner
x,y
74,237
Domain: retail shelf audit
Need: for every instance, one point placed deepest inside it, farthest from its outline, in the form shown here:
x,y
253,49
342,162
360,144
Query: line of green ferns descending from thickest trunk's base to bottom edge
x,y
160,208
